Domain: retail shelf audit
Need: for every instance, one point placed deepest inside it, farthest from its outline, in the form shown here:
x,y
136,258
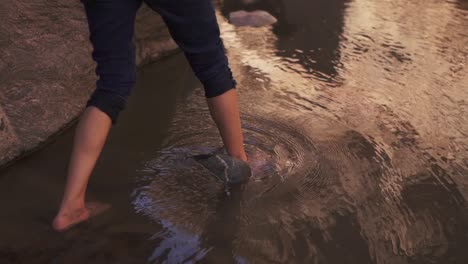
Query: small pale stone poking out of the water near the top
x,y
256,18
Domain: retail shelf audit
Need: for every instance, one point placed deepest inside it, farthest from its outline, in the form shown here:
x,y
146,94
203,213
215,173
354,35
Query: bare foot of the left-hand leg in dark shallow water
x,y
67,219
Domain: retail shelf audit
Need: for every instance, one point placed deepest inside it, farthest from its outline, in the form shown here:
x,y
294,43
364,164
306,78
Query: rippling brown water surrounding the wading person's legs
x,y
356,112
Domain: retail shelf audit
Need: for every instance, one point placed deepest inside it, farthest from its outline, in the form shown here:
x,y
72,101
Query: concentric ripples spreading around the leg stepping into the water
x,y
184,198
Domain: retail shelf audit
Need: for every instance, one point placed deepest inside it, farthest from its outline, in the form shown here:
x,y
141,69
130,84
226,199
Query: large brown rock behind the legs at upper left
x,y
46,71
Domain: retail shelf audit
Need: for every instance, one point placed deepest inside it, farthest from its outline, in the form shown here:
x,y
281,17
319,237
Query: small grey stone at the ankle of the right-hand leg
x,y
225,167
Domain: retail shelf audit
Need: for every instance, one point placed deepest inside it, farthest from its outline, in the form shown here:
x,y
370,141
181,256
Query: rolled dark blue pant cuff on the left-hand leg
x,y
108,102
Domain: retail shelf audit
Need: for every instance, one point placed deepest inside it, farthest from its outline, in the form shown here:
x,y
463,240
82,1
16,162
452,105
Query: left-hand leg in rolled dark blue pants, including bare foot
x,y
111,33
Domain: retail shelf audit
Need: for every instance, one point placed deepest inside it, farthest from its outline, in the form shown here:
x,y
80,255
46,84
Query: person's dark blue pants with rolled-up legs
x,y
193,26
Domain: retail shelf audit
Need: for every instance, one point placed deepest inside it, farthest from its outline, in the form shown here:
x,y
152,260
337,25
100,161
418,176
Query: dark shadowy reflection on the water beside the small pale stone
x,y
308,32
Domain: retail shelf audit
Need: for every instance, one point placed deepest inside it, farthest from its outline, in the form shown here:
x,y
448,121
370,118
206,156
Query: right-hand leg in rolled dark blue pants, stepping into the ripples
x,y
193,26
